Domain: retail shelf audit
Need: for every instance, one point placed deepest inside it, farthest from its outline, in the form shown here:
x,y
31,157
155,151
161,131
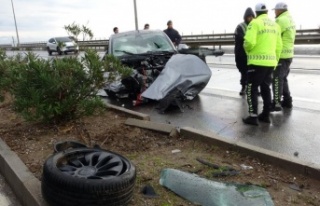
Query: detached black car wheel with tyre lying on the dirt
x,y
87,176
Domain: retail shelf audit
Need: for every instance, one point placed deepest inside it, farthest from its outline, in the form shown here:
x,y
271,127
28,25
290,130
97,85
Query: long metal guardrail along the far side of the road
x,y
306,36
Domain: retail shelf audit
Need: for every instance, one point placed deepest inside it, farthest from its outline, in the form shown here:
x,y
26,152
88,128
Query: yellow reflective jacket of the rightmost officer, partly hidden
x,y
288,34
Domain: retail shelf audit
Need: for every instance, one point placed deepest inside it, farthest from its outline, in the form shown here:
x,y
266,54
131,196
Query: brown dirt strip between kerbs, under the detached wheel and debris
x,y
151,152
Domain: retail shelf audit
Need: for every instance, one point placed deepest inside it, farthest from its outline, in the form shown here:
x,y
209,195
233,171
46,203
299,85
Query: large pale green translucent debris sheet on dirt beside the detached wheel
x,y
211,193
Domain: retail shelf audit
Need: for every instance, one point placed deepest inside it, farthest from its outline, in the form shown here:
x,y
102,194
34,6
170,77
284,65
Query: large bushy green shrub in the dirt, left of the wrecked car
x,y
57,90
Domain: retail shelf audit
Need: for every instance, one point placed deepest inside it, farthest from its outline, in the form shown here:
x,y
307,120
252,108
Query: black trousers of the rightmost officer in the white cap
x,y
280,84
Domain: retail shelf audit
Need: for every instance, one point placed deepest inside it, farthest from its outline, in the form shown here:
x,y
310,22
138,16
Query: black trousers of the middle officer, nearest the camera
x,y
259,76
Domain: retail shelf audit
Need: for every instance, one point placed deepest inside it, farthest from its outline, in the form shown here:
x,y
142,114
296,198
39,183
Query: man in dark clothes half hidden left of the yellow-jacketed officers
x,y
240,54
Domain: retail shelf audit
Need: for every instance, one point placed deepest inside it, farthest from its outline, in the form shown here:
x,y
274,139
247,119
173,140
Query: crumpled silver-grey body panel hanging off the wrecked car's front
x,y
186,72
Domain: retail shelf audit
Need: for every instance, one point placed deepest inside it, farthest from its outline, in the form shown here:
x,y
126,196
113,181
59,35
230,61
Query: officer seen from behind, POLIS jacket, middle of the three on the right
x,y
262,43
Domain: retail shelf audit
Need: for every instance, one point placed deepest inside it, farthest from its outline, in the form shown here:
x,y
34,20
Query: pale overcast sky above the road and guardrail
x,y
38,20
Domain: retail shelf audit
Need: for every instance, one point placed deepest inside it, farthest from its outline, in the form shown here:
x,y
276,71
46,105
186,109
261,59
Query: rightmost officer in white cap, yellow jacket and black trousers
x,y
280,82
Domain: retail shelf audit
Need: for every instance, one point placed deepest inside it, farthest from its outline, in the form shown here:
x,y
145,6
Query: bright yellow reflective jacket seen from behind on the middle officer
x,y
262,42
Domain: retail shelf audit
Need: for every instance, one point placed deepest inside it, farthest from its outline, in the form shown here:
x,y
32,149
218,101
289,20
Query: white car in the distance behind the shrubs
x,y
62,45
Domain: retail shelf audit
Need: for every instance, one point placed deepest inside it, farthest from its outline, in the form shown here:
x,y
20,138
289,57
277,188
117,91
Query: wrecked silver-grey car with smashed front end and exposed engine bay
x,y
160,71
